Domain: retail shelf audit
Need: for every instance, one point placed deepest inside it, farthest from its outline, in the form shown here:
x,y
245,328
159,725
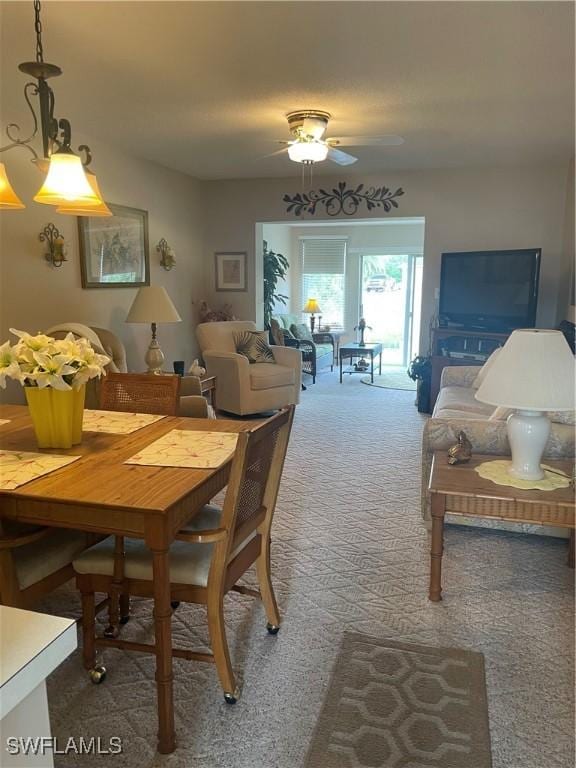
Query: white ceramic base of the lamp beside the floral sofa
x,y
528,433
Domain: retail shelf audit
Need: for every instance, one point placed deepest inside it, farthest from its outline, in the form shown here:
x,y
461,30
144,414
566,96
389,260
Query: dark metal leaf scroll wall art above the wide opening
x,y
342,200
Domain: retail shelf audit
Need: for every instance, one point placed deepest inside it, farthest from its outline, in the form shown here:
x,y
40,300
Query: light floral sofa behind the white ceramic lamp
x,y
457,409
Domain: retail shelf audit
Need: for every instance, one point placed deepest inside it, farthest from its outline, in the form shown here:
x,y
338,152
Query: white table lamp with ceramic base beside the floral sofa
x,y
533,374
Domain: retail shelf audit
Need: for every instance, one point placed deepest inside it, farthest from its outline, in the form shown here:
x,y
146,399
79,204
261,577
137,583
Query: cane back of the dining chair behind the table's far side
x,y
140,393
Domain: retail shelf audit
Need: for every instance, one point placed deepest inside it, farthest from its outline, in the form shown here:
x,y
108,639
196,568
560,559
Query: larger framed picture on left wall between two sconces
x,y
114,249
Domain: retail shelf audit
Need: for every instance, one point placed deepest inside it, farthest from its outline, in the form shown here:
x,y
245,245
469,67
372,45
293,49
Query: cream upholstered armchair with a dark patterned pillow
x,y
243,387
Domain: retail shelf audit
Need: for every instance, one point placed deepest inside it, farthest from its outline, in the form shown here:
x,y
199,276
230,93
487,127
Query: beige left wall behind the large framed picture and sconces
x,y
34,295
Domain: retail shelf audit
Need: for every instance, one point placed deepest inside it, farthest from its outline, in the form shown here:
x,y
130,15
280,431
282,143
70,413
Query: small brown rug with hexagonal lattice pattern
x,y
392,704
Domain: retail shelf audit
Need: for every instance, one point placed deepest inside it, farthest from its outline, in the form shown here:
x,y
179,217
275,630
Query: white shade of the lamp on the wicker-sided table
x,y
534,371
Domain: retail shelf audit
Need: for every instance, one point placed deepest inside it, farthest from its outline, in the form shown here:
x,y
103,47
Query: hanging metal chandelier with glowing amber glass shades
x,y
69,184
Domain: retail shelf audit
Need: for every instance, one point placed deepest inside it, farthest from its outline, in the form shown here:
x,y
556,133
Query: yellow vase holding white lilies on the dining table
x,y
56,415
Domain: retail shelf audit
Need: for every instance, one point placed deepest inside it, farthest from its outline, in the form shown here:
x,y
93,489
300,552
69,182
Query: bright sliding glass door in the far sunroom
x,y
390,301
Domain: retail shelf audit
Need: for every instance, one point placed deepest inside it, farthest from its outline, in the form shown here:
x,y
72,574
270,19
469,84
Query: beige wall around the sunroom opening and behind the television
x,y
465,209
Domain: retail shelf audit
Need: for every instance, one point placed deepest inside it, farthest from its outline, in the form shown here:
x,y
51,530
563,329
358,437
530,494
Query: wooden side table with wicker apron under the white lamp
x,y
459,490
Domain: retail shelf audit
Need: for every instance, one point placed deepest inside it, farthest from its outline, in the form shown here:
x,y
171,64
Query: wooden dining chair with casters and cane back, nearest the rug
x,y
208,556
